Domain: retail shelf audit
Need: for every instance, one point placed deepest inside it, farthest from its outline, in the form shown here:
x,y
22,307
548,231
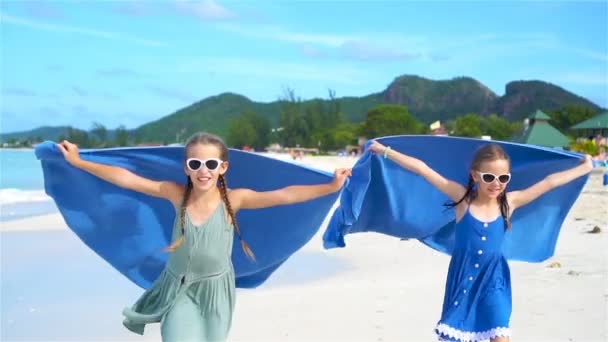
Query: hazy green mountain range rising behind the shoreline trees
x,y
428,100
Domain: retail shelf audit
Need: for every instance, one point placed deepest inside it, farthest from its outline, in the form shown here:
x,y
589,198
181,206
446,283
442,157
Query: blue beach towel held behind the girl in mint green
x,y
130,230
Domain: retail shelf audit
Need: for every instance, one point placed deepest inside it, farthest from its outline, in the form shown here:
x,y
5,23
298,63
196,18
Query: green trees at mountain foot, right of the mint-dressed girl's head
x,y
321,124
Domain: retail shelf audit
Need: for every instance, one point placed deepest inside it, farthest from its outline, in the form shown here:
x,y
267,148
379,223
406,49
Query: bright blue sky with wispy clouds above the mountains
x,y
131,62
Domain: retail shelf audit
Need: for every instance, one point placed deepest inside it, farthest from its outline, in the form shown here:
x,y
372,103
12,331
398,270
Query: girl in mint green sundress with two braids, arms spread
x,y
194,296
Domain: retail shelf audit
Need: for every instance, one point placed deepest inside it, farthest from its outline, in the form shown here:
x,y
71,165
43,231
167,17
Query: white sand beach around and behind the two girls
x,y
378,288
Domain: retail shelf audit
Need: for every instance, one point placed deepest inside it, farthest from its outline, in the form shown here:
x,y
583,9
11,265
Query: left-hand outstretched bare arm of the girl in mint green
x,y
122,177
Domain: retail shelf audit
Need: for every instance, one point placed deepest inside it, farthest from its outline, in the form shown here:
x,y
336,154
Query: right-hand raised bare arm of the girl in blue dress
x,y
554,180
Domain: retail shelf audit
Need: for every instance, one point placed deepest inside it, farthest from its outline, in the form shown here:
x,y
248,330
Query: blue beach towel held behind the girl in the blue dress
x,y
385,198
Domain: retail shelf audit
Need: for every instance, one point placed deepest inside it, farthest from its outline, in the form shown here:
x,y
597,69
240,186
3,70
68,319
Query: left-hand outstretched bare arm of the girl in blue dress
x,y
452,189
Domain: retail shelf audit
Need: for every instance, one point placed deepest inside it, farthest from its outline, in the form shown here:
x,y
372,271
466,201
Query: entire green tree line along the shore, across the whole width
x,y
322,123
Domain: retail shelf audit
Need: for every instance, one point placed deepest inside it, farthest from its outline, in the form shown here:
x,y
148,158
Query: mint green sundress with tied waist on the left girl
x,y
194,296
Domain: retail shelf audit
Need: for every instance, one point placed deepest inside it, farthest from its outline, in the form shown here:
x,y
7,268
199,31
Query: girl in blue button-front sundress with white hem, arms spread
x,y
477,300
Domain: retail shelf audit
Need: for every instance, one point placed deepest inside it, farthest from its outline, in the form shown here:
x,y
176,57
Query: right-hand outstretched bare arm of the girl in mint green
x,y
249,199
